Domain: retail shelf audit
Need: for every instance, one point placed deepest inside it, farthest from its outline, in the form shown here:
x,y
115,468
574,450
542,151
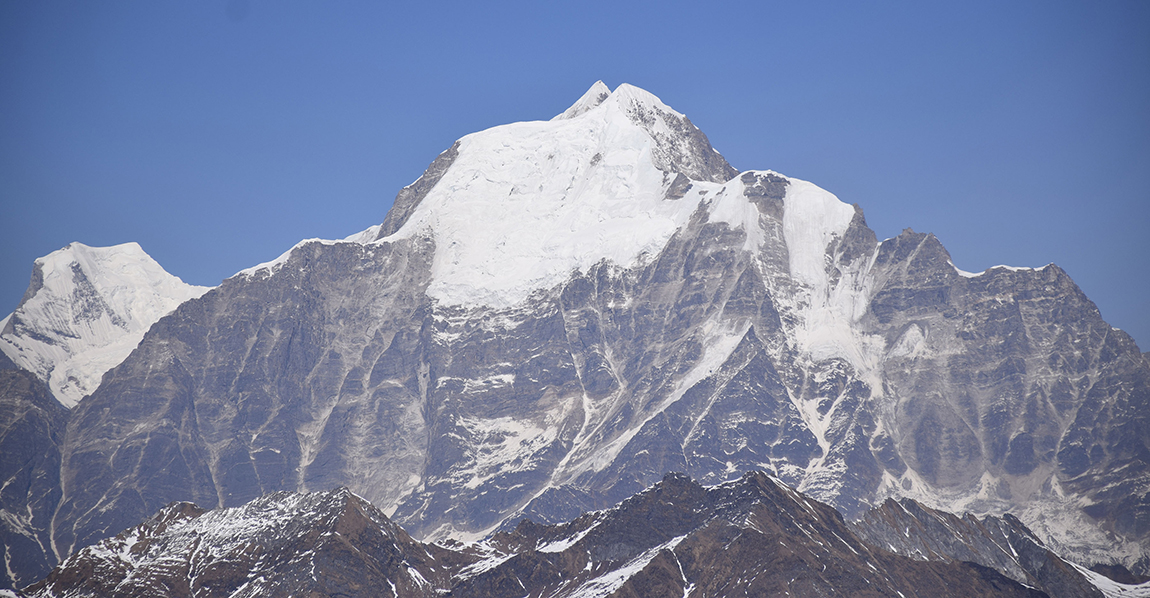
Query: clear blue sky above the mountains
x,y
218,134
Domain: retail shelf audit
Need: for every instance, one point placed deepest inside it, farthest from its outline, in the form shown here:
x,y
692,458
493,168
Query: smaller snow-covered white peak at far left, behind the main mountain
x,y
85,312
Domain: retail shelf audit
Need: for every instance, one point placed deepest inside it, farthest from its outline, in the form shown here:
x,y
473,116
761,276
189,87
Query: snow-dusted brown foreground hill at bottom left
x,y
323,545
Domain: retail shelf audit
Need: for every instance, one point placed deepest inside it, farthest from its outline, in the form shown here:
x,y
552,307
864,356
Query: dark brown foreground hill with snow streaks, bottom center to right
x,y
754,536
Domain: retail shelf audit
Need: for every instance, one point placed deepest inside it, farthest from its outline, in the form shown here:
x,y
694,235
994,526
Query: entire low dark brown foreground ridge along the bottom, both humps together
x,y
750,538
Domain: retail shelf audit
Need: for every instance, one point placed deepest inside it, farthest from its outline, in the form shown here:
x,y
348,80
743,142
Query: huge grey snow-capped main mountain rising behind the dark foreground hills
x,y
551,319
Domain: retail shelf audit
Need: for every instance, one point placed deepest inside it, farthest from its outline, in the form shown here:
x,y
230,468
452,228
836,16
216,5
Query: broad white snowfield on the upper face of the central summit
x,y
526,204
